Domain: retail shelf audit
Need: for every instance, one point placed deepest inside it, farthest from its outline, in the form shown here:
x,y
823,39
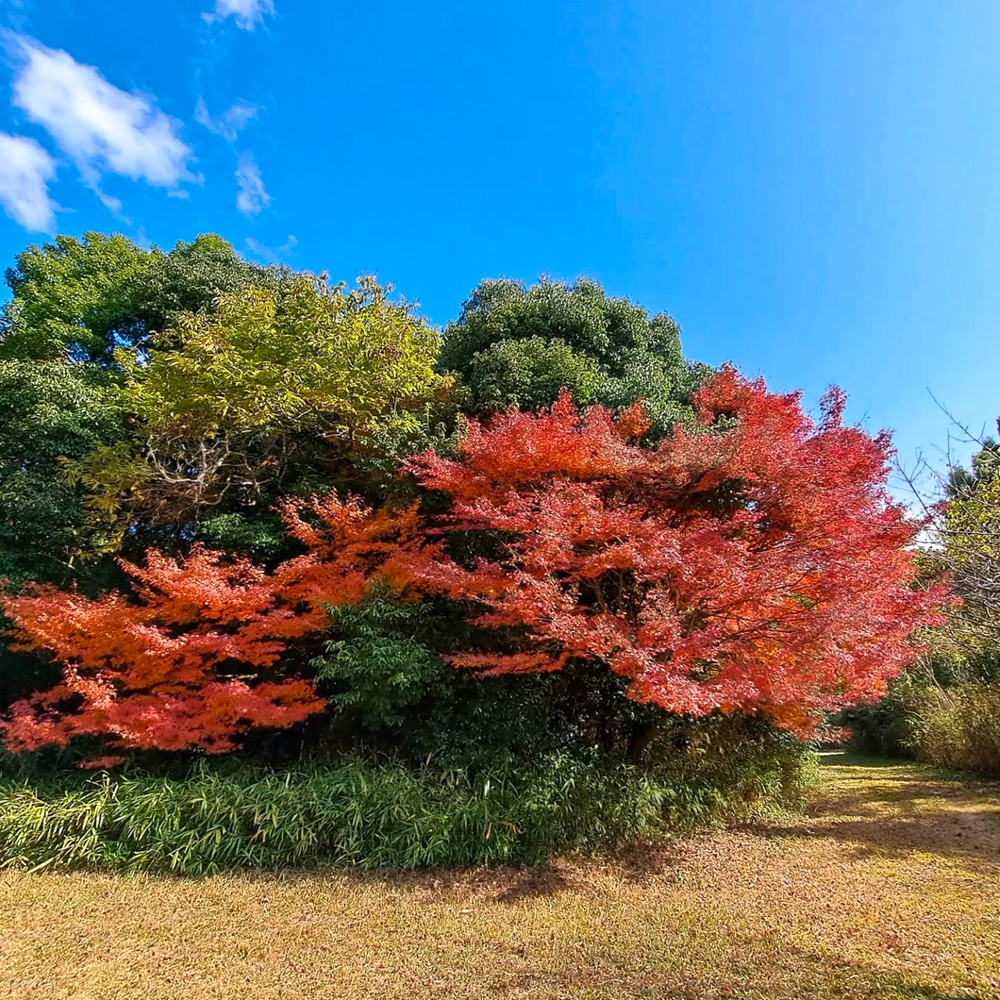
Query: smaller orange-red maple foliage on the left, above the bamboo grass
x,y
193,657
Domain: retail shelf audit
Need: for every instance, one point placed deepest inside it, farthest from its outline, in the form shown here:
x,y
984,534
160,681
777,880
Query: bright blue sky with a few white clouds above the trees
x,y
812,189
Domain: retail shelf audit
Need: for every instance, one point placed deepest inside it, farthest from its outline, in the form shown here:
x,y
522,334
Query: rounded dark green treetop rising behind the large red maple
x,y
517,346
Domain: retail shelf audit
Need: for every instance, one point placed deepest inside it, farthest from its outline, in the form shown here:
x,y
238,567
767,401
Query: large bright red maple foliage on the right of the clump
x,y
755,563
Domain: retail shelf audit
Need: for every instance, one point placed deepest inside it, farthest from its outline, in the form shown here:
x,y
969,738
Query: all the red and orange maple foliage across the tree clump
x,y
755,563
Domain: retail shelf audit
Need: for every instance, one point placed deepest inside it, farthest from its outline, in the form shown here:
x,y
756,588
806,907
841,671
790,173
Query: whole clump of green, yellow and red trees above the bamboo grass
x,y
245,509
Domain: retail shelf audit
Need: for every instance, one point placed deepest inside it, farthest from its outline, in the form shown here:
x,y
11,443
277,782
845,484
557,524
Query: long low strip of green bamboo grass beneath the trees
x,y
371,814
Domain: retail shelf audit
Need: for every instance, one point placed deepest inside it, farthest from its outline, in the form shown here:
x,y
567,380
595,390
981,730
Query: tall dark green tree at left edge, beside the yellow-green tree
x,y
73,304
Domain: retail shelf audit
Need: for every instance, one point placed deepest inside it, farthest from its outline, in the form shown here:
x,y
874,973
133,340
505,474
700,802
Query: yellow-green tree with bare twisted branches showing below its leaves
x,y
273,393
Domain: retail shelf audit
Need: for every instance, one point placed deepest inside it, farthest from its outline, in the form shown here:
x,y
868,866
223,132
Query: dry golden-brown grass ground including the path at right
x,y
888,889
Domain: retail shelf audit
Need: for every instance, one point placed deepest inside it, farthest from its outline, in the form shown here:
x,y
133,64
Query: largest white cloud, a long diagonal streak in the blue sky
x,y
101,128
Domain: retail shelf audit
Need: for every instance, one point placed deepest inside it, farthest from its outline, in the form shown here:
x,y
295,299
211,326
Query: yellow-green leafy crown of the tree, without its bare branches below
x,y
312,357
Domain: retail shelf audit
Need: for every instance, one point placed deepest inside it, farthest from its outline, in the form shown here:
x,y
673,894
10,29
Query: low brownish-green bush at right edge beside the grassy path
x,y
960,728
